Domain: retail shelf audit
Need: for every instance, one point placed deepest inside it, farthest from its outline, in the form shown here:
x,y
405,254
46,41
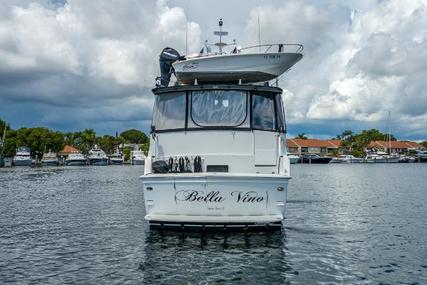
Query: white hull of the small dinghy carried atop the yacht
x,y
234,67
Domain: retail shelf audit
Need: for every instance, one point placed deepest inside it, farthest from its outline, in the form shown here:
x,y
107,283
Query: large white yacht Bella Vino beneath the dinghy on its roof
x,y
217,153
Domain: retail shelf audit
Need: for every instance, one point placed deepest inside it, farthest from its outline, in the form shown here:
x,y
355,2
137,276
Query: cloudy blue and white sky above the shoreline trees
x,y
76,64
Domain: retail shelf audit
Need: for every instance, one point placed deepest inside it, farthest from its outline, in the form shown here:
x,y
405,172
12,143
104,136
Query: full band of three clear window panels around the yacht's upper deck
x,y
218,109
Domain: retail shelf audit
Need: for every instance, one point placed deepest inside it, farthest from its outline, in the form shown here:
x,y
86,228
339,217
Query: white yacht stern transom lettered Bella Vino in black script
x,y
215,198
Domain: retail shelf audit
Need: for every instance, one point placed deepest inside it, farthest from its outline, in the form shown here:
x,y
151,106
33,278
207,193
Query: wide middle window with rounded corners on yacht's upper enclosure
x,y
219,108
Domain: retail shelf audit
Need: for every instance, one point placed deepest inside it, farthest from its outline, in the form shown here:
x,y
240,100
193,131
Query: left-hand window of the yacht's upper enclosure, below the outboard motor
x,y
169,111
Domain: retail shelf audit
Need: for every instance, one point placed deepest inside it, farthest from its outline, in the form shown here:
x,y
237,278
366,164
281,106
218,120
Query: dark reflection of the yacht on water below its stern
x,y
207,258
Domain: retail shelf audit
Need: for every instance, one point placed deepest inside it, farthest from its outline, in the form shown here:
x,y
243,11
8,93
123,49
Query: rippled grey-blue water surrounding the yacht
x,y
346,224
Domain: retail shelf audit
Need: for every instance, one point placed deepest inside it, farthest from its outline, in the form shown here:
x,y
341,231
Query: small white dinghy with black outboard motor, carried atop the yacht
x,y
241,65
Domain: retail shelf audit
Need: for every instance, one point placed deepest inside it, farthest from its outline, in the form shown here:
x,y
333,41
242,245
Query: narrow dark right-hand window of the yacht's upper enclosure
x,y
263,113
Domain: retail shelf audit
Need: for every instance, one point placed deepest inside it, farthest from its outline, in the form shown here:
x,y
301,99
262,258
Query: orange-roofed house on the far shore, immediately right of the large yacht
x,y
313,146
